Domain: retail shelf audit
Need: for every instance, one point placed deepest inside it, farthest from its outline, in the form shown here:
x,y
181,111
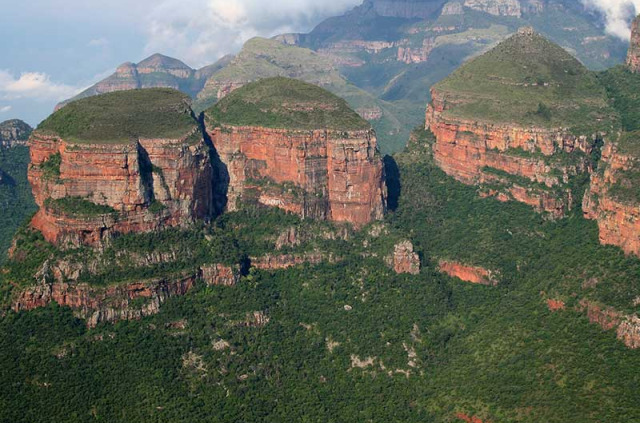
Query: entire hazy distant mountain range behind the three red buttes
x,y
382,56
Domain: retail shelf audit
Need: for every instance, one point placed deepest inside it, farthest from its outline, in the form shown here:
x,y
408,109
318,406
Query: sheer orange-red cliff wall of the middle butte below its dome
x,y
327,175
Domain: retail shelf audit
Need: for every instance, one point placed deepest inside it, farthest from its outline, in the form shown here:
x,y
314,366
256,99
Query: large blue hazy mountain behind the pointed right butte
x,y
396,50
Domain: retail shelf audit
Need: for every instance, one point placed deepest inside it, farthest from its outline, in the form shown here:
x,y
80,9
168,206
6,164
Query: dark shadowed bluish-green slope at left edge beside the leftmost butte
x,y
16,200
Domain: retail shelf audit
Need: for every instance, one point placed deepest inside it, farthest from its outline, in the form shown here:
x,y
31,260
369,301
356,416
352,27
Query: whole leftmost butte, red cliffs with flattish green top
x,y
90,187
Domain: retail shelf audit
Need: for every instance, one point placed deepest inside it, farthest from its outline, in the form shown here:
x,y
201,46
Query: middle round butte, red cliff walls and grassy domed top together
x,y
313,169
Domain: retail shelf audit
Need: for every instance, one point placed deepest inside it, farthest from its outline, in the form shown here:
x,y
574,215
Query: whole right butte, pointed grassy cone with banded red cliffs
x,y
515,154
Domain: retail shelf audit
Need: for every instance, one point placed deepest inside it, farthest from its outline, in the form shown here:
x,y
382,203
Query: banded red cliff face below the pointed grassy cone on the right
x,y
508,161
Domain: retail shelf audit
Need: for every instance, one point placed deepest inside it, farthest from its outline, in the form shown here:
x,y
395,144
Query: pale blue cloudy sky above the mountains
x,y
52,49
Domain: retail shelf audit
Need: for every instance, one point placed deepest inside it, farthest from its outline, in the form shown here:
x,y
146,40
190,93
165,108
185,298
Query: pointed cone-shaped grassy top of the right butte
x,y
529,80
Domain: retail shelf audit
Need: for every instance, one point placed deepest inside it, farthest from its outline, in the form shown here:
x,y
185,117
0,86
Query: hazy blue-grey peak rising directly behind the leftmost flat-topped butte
x,y
156,71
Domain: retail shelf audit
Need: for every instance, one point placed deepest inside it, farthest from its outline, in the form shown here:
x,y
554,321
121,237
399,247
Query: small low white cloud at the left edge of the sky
x,y
33,85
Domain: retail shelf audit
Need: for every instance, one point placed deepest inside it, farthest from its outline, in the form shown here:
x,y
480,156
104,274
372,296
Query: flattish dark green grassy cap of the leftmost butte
x,y
122,116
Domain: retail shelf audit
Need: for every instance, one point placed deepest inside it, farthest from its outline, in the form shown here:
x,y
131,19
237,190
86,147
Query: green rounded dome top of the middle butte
x,y
288,104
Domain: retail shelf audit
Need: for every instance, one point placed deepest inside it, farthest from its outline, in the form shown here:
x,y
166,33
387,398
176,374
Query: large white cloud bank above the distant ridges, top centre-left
x,y
222,26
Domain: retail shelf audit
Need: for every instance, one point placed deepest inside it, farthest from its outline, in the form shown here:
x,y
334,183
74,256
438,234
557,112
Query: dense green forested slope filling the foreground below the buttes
x,y
351,341
